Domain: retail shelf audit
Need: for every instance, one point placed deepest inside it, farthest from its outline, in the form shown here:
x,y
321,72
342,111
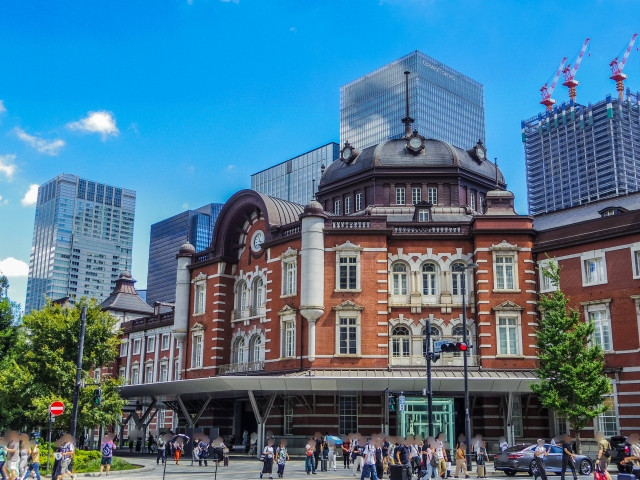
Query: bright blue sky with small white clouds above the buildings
x,y
181,100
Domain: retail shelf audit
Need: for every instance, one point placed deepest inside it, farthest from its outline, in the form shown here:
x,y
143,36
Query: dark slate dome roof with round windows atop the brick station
x,y
392,153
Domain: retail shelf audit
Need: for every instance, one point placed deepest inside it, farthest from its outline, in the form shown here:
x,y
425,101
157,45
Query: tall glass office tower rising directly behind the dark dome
x,y
445,104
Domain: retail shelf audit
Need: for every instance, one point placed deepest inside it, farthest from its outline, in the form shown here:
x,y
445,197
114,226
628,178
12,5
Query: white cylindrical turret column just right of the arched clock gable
x,y
312,267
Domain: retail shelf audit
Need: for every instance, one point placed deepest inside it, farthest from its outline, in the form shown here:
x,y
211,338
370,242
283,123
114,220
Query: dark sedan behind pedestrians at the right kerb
x,y
519,458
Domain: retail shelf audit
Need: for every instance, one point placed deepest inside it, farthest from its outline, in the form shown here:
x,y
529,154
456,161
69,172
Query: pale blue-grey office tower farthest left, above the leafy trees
x,y
82,240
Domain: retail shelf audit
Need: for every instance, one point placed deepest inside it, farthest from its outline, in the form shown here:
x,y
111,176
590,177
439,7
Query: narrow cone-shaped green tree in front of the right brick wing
x,y
570,366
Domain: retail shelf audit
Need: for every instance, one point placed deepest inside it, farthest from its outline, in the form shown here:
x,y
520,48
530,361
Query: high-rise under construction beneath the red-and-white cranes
x,y
579,154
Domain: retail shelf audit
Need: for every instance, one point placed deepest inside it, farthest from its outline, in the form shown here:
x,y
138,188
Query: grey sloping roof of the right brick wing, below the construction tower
x,y
582,213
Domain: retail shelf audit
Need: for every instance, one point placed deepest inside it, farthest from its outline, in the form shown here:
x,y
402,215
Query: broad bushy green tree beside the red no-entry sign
x,y
44,367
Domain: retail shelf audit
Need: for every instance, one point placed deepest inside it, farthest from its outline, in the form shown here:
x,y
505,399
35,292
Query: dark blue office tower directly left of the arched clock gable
x,y
167,236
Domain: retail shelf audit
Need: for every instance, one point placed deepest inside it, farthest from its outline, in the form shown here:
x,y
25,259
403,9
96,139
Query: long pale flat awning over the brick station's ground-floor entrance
x,y
341,381
